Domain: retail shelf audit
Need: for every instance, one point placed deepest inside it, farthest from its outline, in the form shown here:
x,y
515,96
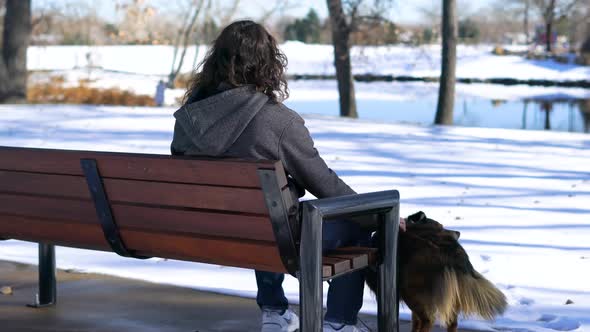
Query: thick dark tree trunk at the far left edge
x,y
13,60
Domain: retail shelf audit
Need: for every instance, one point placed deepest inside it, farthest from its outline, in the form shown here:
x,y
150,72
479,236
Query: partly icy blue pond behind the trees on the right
x,y
476,105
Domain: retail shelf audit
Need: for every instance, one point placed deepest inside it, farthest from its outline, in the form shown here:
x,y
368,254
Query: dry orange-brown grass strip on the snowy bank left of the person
x,y
53,92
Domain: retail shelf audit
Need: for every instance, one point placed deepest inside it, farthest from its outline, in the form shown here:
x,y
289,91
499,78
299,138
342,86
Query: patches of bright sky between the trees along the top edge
x,y
402,11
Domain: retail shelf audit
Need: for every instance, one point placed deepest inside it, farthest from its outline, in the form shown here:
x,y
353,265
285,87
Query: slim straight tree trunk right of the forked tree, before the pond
x,y
446,93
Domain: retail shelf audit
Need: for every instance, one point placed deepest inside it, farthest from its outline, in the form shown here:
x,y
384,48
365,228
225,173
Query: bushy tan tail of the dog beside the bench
x,y
476,296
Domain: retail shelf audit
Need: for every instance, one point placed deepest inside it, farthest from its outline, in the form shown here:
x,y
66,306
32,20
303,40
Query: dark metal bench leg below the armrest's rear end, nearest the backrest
x,y
310,274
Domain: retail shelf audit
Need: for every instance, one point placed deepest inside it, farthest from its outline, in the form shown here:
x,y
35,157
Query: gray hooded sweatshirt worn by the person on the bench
x,y
243,123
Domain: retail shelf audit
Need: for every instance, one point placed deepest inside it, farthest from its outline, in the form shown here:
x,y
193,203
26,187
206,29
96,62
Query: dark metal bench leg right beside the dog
x,y
387,299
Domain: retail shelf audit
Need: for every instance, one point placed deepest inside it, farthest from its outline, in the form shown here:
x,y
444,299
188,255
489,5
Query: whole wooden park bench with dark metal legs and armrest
x,y
219,211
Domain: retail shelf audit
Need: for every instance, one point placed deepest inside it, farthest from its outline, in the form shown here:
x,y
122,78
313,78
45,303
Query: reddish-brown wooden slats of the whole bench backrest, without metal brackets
x,y
175,207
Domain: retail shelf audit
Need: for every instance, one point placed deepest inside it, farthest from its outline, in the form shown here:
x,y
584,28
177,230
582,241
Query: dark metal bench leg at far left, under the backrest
x,y
47,290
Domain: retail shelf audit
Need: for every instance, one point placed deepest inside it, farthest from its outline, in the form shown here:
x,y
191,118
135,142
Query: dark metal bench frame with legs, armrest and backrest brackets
x,y
302,259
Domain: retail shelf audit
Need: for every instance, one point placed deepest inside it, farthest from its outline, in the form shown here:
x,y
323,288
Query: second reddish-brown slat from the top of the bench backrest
x,y
143,192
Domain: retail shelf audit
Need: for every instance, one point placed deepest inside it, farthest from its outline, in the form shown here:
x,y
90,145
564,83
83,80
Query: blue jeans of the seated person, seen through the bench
x,y
345,295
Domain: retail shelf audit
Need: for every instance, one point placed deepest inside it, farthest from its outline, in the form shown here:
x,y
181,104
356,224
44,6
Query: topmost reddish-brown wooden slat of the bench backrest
x,y
236,173
